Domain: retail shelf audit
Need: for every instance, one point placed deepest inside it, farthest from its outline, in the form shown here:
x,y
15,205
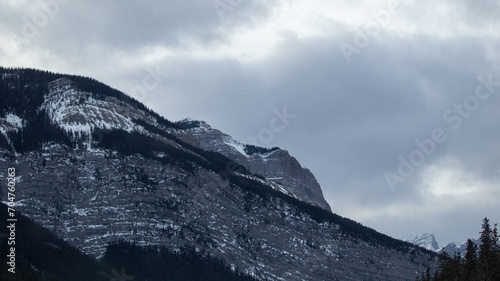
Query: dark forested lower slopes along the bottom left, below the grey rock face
x,y
40,255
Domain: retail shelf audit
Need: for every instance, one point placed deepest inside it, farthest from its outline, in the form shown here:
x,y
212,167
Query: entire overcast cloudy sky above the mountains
x,y
389,108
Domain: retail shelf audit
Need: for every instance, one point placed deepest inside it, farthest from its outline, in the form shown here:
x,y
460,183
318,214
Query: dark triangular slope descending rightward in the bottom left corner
x,y
39,255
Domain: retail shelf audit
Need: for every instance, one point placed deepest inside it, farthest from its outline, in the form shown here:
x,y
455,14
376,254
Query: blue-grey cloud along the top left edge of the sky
x,y
126,26
